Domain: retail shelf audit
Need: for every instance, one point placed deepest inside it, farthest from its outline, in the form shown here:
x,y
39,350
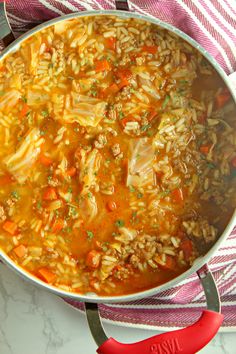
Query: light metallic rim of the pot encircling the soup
x,y
200,261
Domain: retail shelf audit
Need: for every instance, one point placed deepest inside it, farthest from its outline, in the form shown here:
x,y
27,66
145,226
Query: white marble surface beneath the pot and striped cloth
x,y
35,322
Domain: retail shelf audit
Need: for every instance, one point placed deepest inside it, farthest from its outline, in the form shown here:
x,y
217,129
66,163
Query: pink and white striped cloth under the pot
x,y
212,23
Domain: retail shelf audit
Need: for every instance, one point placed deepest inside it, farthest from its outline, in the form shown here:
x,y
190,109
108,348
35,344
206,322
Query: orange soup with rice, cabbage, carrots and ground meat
x,y
117,156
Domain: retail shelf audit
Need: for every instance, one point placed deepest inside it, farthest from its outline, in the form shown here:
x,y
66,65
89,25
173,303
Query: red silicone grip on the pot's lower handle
x,y
184,341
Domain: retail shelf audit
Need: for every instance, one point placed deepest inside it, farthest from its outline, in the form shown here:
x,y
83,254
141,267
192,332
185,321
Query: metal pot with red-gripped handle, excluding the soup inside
x,y
188,340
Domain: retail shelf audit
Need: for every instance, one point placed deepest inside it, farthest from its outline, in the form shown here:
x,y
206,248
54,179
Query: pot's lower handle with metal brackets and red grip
x,y
188,340
